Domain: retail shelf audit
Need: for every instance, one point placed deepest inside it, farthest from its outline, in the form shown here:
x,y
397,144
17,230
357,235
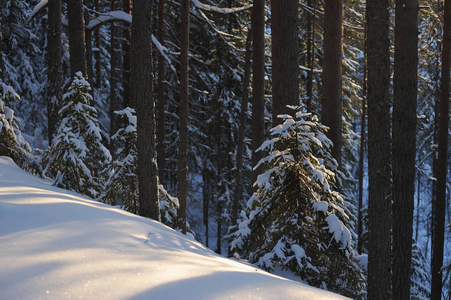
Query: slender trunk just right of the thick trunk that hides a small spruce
x,y
160,102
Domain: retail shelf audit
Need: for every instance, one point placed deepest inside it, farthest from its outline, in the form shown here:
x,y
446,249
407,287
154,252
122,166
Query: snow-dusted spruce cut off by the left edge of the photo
x,y
12,143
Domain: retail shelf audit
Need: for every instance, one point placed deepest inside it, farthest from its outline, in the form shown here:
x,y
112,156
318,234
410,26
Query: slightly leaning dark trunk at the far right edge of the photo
x,y
439,204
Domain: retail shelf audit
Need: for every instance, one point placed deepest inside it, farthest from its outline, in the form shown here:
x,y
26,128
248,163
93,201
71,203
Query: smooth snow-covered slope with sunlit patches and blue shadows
x,y
56,244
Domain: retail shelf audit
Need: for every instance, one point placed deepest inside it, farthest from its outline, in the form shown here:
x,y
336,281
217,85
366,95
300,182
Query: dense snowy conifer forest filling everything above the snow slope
x,y
165,108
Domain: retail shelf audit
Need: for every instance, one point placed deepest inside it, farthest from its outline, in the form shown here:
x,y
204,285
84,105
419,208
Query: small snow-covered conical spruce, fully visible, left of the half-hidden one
x,y
77,153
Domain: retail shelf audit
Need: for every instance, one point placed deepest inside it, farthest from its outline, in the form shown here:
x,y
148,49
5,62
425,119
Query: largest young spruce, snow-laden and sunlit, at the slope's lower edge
x,y
295,218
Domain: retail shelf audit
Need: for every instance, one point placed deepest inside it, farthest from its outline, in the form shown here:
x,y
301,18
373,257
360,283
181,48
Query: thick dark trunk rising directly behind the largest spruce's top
x,y
285,58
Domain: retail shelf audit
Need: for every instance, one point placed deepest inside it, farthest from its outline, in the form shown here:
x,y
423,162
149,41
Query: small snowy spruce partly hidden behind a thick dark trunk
x,y
121,186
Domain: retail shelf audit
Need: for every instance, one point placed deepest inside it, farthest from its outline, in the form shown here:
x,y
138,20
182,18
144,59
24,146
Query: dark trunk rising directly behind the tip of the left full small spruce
x,y
77,47
